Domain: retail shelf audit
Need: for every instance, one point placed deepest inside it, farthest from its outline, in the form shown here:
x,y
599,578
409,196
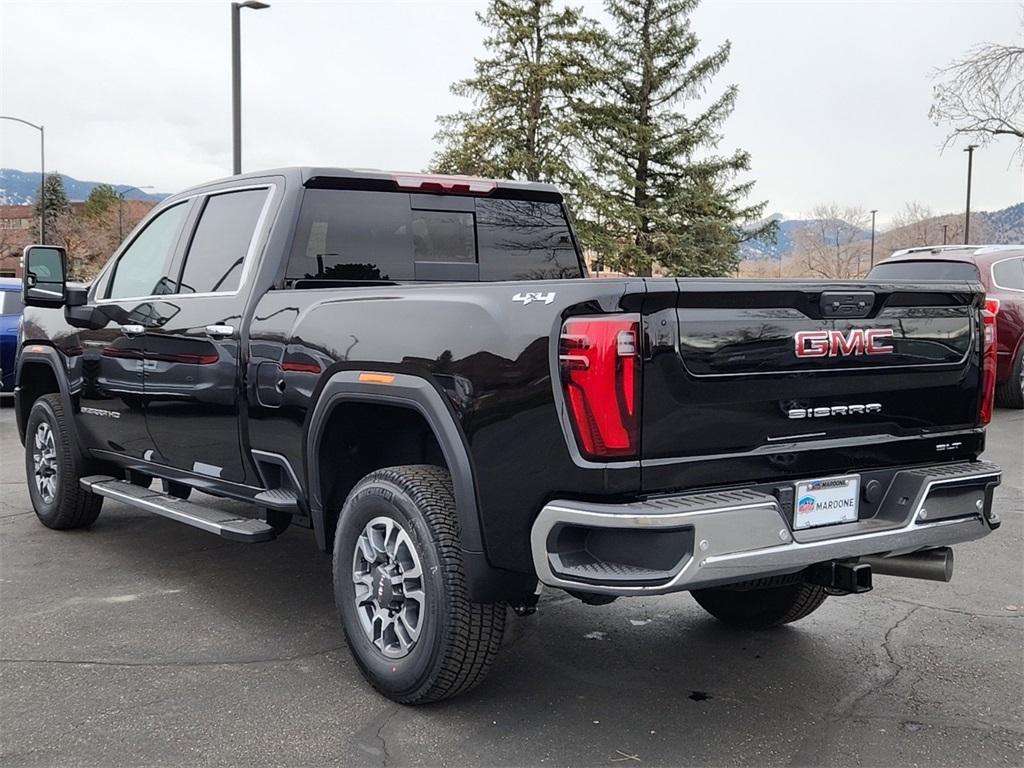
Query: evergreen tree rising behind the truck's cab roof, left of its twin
x,y
523,124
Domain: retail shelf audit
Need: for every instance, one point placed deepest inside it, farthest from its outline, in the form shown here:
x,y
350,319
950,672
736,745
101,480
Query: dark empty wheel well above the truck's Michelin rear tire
x,y
362,438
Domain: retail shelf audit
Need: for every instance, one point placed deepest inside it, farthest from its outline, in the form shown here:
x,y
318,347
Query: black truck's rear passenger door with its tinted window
x,y
194,386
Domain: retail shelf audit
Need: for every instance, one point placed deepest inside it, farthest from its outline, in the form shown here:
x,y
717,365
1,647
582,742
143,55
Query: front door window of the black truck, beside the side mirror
x,y
142,271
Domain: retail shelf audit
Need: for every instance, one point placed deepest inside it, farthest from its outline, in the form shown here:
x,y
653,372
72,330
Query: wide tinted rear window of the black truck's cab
x,y
362,236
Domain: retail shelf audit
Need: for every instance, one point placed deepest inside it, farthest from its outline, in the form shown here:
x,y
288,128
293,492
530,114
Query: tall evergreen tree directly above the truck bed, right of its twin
x,y
663,194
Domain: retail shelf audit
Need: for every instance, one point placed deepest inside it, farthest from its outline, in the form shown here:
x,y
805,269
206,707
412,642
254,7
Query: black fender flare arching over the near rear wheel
x,y
405,392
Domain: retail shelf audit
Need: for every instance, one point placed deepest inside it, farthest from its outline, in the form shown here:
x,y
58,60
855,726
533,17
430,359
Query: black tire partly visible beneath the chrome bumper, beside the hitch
x,y
761,609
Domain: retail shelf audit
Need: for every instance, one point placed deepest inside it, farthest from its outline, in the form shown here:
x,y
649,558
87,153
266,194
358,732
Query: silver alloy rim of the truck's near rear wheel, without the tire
x,y
391,600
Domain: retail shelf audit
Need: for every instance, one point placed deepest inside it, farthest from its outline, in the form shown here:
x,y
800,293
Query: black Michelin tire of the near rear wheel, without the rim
x,y
457,639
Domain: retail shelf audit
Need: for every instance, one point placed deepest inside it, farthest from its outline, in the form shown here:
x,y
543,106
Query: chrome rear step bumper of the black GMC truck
x,y
674,544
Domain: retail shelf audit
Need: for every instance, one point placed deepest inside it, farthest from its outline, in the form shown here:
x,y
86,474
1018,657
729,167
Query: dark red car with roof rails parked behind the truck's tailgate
x,y
1001,271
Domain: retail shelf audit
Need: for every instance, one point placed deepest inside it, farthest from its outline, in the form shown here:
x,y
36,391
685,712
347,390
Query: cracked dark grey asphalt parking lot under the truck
x,y
144,643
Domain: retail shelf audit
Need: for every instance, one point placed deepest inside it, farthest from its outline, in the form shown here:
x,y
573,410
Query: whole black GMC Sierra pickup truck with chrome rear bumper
x,y
418,369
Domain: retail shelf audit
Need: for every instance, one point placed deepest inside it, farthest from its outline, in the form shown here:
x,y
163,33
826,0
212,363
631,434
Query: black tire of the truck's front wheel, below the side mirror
x,y
65,504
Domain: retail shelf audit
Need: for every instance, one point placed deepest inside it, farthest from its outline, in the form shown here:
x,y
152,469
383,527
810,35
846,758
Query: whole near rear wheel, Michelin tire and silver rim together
x,y
401,588
